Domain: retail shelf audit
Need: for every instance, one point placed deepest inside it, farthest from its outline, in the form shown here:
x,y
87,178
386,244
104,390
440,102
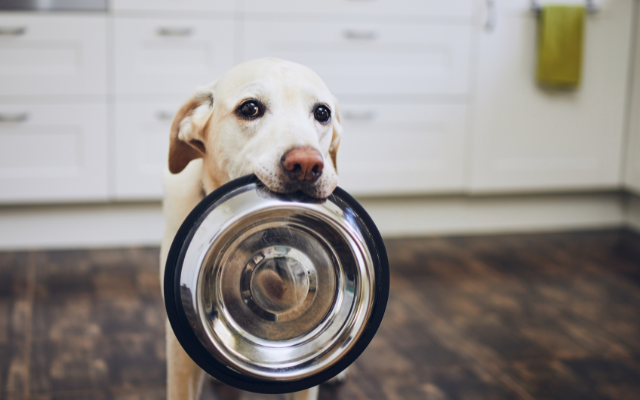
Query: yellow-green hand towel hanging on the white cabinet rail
x,y
560,31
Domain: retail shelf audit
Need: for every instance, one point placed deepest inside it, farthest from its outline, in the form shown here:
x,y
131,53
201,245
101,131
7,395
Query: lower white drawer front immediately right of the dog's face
x,y
402,148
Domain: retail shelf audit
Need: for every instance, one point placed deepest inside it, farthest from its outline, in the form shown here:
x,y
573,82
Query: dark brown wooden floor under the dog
x,y
546,316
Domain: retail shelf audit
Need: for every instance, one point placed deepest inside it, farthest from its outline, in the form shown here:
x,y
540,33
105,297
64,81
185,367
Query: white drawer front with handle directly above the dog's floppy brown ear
x,y
170,55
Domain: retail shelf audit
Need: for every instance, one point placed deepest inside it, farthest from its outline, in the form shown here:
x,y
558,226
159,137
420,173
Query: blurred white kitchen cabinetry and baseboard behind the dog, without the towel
x,y
446,129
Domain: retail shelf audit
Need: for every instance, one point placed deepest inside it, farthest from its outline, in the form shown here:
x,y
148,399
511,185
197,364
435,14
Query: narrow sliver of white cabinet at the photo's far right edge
x,y
632,172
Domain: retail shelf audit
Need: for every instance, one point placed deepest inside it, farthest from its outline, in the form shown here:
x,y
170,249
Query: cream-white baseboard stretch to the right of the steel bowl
x,y
495,214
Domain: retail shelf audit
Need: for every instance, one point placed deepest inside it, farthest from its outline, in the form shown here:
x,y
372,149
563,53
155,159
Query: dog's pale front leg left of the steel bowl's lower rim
x,y
184,377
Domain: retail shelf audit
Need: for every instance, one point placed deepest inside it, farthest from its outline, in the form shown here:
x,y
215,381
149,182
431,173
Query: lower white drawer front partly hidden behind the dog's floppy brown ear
x,y
142,148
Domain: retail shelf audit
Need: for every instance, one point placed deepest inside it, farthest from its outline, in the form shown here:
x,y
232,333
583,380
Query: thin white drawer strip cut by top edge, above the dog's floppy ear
x,y
172,5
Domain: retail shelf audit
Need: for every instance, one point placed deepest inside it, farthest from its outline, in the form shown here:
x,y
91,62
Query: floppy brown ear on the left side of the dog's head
x,y
188,134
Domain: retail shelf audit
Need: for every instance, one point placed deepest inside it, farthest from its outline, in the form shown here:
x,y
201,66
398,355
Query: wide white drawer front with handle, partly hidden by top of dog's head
x,y
358,58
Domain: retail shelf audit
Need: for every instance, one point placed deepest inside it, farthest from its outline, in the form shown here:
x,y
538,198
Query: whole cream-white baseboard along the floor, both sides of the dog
x,y
141,224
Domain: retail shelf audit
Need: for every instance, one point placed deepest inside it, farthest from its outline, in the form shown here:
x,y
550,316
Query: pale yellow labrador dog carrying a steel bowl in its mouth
x,y
270,117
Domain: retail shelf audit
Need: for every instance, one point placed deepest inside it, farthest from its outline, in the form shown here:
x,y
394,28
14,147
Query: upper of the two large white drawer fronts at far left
x,y
45,55
